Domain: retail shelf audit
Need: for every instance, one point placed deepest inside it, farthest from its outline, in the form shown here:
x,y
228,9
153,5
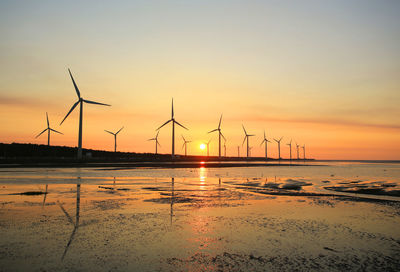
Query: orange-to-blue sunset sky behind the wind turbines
x,y
322,73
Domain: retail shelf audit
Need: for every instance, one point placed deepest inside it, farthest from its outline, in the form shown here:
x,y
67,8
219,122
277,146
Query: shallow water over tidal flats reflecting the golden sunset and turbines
x,y
334,217
